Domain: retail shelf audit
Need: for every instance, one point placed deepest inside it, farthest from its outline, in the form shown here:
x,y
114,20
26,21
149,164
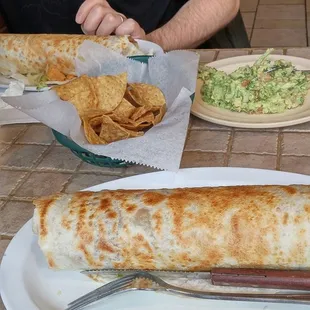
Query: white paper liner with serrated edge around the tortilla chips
x,y
161,147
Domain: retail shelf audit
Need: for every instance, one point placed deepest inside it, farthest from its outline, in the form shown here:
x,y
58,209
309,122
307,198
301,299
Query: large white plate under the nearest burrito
x,y
27,283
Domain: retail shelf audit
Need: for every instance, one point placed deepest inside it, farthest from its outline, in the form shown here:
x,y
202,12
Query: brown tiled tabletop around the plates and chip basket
x,y
33,164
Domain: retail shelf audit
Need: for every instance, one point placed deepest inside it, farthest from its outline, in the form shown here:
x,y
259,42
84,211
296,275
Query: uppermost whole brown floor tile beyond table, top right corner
x,y
281,12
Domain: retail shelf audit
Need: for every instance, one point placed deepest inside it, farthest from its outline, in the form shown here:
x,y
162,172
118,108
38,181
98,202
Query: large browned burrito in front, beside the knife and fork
x,y
188,229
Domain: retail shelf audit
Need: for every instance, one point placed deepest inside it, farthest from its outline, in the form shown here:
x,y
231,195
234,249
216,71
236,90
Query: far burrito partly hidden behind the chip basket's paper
x,y
37,58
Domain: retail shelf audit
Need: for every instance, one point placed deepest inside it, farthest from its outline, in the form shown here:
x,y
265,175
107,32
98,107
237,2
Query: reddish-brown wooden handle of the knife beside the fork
x,y
263,278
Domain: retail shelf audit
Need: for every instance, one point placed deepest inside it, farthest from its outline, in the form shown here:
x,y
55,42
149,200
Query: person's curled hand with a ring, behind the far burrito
x,y
97,17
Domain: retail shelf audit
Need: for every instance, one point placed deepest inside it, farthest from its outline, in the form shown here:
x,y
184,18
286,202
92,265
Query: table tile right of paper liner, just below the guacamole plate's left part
x,y
213,141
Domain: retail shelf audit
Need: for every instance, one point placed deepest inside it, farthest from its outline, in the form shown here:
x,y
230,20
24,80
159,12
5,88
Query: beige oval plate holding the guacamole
x,y
243,120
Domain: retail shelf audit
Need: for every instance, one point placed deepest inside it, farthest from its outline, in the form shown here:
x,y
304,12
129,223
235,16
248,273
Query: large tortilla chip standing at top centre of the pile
x,y
110,91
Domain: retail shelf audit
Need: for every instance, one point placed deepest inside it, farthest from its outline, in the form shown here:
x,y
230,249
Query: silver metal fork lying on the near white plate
x,y
123,285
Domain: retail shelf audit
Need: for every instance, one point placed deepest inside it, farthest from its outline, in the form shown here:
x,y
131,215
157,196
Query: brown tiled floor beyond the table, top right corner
x,y
277,22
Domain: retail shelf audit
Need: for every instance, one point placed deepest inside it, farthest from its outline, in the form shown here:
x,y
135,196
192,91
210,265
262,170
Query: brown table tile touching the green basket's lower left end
x,y
59,158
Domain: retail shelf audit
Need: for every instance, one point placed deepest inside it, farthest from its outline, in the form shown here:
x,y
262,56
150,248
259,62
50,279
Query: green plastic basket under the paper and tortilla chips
x,y
91,158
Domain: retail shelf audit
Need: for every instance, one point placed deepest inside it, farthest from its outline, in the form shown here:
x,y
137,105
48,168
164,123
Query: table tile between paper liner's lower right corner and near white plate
x,y
202,159
